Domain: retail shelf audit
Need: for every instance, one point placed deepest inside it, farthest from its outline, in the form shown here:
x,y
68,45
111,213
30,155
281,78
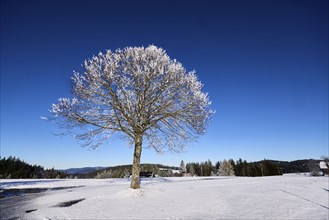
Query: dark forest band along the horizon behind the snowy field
x,y
15,168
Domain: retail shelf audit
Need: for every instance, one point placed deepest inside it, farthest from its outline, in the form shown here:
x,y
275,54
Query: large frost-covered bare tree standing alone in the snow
x,y
141,95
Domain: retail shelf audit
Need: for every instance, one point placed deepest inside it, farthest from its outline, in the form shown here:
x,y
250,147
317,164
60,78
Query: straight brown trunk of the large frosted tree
x,y
135,182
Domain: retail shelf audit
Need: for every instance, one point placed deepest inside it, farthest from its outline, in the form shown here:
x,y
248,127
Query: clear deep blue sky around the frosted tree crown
x,y
263,63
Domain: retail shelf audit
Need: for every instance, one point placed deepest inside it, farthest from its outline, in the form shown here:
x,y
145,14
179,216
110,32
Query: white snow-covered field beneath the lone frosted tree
x,y
279,197
